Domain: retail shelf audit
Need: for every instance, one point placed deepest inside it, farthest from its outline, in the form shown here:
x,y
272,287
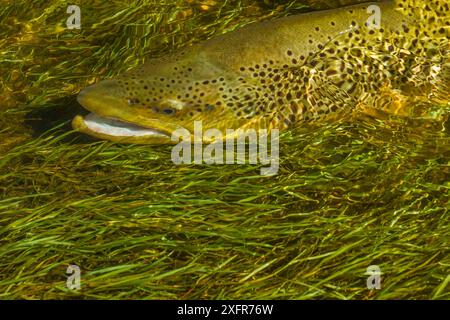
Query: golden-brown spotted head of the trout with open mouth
x,y
148,104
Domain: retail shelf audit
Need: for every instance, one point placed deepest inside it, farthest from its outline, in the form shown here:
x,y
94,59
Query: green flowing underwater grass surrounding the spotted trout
x,y
349,194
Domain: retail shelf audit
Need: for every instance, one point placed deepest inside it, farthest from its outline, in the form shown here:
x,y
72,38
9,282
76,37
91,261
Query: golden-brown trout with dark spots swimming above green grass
x,y
279,73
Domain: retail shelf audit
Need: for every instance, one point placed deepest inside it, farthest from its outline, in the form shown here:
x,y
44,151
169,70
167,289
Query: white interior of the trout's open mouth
x,y
117,128
